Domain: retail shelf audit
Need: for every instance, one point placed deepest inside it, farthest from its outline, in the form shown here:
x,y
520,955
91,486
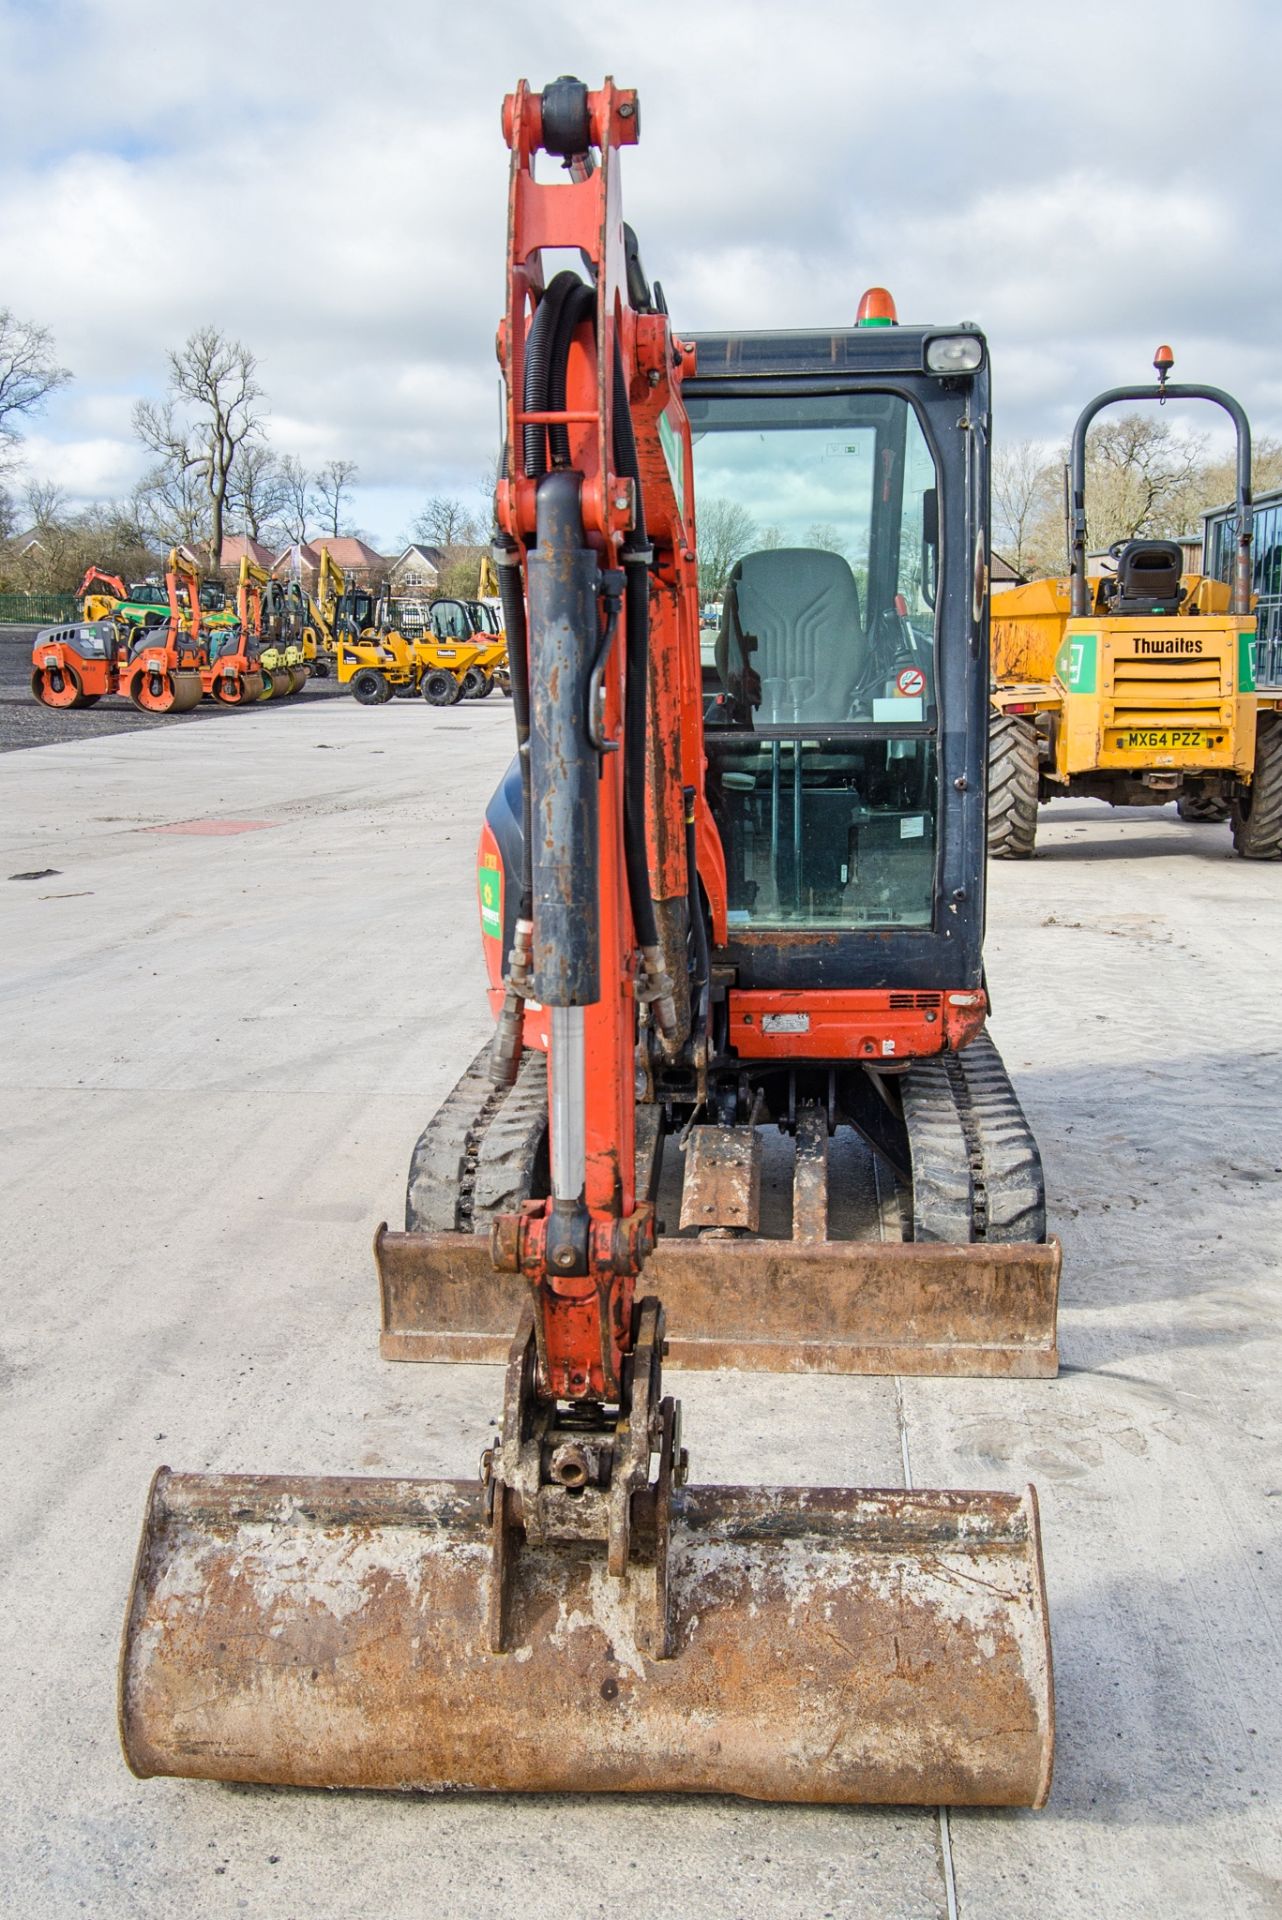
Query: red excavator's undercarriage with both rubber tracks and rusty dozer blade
x,y
926,1253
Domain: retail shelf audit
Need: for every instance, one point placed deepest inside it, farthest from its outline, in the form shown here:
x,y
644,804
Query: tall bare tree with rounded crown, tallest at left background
x,y
208,418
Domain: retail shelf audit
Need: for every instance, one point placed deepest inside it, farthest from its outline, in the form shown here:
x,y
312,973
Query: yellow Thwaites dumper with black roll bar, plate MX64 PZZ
x,y
1139,686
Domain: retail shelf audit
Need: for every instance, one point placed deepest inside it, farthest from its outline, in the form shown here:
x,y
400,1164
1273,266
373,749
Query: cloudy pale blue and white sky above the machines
x,y
327,181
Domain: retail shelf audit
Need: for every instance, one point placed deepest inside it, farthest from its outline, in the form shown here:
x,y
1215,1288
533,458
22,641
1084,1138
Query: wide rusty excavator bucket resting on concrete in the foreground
x,y
828,1646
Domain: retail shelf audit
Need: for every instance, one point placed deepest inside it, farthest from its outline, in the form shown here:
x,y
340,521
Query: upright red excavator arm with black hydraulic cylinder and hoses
x,y
594,533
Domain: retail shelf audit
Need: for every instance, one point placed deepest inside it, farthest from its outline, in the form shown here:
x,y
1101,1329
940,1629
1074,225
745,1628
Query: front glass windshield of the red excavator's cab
x,y
819,567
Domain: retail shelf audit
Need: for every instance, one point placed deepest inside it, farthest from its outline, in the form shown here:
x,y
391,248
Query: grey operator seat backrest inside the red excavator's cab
x,y
792,646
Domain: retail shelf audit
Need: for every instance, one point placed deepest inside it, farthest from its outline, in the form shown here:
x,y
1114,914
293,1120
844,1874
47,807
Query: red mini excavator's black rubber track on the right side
x,y
976,1166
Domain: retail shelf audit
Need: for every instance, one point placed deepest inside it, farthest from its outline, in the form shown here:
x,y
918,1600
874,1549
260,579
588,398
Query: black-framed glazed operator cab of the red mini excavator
x,y
842,802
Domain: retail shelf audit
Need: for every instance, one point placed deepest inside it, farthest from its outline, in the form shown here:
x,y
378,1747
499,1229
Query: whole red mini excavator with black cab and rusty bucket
x,y
711,928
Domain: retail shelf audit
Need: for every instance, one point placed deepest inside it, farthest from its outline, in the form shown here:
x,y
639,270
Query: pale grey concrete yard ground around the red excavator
x,y
220,1049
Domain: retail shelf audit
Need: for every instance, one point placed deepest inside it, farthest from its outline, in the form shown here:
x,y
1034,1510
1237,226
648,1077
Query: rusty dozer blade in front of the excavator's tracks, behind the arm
x,y
772,1307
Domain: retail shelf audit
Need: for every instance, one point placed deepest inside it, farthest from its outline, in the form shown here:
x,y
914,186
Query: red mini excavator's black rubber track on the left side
x,y
477,1155
